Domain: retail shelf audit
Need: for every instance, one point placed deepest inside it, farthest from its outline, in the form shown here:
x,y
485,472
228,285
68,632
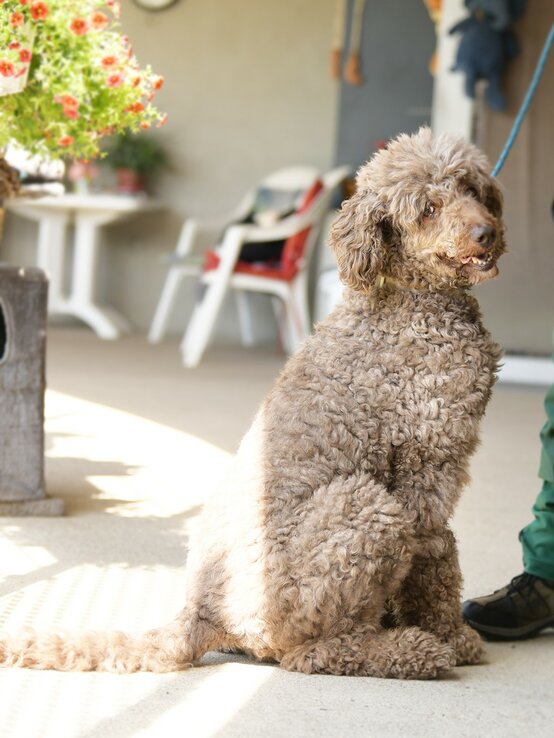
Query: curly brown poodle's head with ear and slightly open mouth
x,y
426,213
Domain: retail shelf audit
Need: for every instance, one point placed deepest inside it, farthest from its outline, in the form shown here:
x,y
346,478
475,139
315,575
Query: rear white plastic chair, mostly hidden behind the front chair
x,y
187,259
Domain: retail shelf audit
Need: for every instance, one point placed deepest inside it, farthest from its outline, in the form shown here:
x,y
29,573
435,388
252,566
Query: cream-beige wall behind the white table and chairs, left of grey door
x,y
247,90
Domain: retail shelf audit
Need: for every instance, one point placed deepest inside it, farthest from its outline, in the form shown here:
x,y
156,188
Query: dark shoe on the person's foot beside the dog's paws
x,y
520,610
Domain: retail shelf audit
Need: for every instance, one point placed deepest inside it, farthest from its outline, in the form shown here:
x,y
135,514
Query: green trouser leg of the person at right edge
x,y
537,539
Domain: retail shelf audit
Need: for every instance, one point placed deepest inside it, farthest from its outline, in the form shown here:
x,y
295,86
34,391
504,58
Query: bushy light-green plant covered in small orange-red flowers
x,y
84,81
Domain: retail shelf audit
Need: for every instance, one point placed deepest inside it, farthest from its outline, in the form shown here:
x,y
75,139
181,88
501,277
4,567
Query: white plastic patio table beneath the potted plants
x,y
86,213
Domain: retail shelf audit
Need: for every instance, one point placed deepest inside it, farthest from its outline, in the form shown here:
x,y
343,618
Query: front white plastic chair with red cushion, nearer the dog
x,y
289,290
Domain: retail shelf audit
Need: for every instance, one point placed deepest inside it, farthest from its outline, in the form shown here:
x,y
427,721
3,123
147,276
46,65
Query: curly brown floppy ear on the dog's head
x,y
357,238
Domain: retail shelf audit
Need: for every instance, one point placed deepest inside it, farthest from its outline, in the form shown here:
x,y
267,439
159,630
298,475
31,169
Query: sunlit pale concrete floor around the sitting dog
x,y
133,443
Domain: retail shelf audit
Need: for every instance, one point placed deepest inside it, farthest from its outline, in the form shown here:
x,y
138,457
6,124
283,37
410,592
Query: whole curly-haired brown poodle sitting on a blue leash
x,y
328,547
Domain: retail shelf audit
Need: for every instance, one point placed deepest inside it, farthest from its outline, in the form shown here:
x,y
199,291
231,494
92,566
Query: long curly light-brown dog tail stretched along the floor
x,y
171,648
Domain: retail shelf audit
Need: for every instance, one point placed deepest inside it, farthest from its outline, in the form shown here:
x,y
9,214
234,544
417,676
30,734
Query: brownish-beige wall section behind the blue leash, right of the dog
x,y
519,305
